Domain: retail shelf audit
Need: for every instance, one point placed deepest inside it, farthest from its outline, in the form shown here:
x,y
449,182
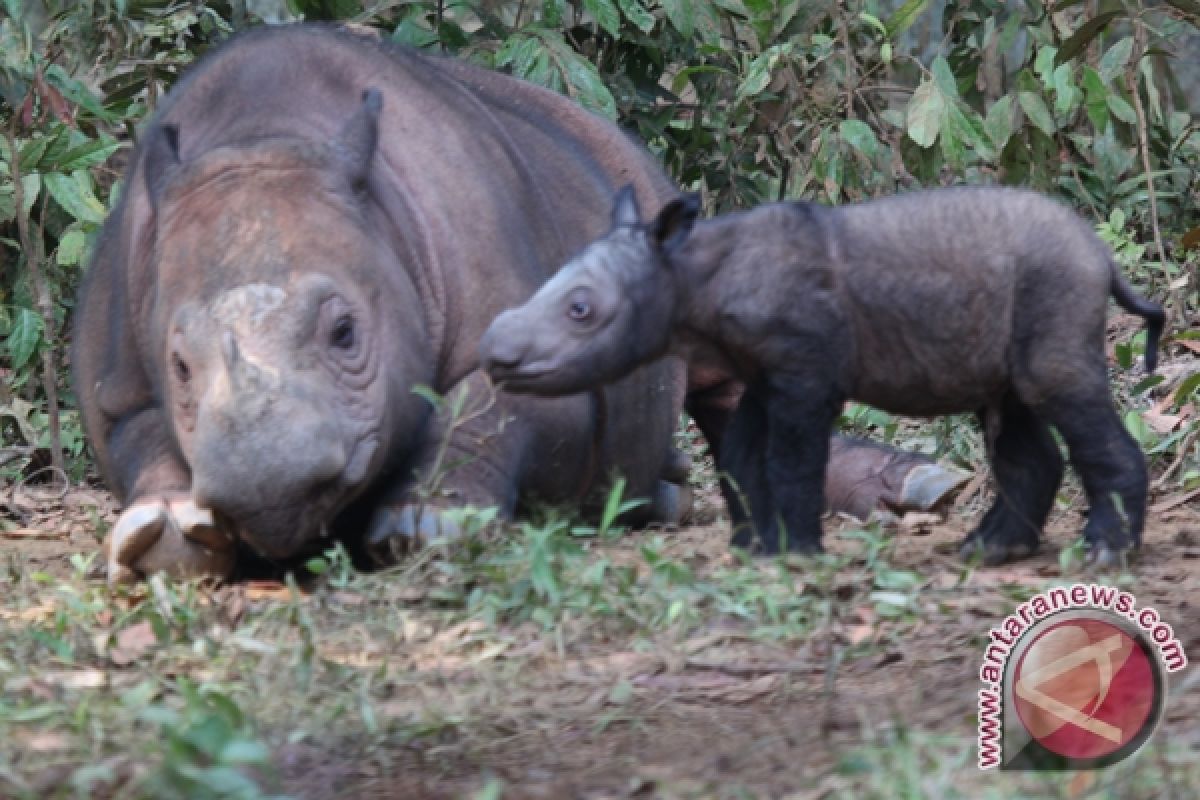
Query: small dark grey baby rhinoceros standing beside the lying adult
x,y
985,300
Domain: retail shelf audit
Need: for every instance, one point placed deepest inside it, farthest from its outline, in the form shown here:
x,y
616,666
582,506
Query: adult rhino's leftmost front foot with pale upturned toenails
x,y
169,536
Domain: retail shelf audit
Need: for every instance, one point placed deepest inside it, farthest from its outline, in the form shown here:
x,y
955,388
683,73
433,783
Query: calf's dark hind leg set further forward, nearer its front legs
x,y
1028,472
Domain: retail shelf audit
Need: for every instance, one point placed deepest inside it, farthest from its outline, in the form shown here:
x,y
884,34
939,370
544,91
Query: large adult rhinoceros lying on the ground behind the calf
x,y
314,225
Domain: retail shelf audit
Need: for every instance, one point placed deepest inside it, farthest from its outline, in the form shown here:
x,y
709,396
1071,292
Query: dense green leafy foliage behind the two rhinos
x,y
743,100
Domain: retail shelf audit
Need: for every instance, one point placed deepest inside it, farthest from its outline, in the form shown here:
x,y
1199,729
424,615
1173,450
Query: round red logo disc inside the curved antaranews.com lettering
x,y
1084,689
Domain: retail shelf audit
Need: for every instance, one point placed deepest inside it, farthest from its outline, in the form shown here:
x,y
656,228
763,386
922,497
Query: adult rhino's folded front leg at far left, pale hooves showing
x,y
161,530
